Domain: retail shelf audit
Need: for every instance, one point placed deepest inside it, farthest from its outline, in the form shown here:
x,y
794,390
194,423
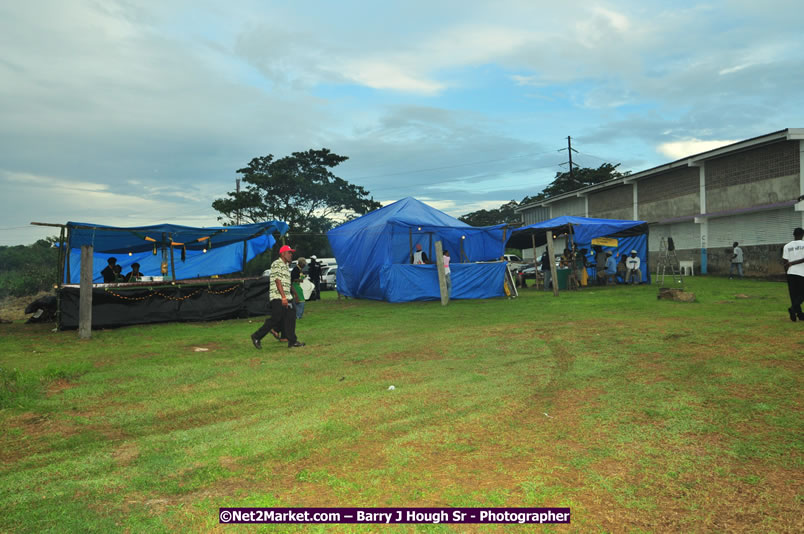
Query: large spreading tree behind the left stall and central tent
x,y
299,189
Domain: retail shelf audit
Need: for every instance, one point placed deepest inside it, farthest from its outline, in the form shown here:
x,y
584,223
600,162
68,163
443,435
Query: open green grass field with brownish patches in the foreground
x,y
640,415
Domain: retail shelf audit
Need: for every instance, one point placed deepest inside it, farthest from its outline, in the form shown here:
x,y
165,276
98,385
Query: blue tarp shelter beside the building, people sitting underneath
x,y
630,235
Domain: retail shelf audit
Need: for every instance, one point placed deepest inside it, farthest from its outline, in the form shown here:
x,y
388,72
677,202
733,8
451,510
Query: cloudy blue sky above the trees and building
x,y
135,112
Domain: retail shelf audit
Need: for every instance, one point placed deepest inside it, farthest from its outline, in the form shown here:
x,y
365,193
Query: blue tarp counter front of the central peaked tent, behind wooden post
x,y
405,283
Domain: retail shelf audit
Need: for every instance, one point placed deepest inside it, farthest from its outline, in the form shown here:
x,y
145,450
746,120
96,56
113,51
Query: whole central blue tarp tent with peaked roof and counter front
x,y
374,254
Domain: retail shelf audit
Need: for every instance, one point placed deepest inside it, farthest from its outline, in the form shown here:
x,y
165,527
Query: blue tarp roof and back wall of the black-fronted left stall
x,y
206,251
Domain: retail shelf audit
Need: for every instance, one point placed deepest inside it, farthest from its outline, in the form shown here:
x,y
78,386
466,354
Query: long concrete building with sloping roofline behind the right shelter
x,y
746,192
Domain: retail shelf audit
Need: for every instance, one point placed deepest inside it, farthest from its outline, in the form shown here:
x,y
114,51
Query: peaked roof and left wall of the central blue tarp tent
x,y
369,244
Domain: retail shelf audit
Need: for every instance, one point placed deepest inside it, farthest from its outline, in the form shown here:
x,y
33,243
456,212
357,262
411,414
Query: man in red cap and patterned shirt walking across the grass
x,y
283,316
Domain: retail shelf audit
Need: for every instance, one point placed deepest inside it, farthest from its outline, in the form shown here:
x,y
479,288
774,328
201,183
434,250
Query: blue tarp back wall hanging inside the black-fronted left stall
x,y
221,260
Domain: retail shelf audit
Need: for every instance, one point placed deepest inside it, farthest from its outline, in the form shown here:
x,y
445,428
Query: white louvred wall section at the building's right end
x,y
759,228
